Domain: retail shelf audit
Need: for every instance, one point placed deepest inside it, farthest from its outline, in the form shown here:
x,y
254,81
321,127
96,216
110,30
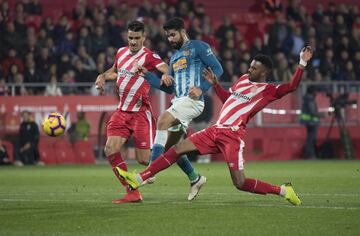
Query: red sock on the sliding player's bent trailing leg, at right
x,y
257,186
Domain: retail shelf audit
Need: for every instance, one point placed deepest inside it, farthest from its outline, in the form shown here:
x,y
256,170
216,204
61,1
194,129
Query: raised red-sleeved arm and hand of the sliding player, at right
x,y
305,56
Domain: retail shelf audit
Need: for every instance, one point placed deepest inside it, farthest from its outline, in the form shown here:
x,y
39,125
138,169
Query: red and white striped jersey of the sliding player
x,y
247,98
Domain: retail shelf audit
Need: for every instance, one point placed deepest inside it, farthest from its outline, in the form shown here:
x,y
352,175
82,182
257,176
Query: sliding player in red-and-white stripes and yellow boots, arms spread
x,y
244,99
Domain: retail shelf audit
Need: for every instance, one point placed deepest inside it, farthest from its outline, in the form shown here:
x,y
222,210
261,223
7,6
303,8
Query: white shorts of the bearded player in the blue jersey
x,y
185,110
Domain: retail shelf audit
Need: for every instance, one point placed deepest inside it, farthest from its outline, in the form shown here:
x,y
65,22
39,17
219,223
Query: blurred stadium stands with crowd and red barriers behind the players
x,y
66,44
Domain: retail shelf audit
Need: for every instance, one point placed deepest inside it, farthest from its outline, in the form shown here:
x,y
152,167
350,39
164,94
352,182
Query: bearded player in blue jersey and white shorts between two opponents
x,y
185,71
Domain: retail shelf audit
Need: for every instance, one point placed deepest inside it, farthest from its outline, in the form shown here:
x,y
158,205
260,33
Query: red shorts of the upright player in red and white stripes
x,y
141,125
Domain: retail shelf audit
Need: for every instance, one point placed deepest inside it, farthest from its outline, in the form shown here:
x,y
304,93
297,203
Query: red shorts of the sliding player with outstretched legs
x,y
225,140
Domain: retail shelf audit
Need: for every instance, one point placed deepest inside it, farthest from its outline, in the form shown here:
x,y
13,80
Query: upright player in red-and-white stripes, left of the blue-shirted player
x,y
133,115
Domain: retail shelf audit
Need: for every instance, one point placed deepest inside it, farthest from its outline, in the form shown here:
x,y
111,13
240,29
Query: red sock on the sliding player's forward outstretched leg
x,y
162,162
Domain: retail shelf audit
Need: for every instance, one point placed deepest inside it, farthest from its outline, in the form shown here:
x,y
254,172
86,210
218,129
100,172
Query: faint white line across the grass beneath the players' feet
x,y
210,203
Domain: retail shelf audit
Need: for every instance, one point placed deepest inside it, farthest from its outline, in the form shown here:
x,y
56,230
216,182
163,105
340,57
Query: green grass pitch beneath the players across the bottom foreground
x,y
76,200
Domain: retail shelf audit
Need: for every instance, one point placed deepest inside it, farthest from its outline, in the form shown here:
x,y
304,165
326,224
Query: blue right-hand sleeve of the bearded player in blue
x,y
208,58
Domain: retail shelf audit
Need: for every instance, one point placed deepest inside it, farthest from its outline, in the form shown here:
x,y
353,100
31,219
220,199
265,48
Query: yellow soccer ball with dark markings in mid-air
x,y
54,124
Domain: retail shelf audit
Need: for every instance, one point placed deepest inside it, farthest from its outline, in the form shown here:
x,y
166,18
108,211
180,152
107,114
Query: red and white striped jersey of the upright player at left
x,y
133,90
